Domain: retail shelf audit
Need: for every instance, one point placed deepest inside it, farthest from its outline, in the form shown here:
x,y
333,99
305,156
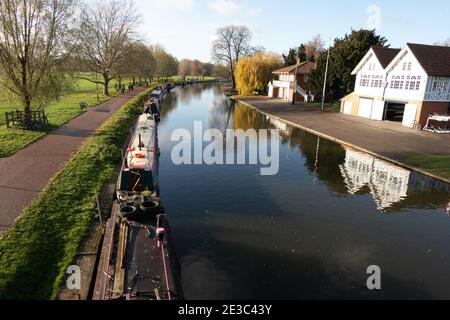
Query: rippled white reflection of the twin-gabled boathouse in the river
x,y
388,183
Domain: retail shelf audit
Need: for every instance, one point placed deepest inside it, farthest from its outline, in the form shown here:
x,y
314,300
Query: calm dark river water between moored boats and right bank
x,y
309,232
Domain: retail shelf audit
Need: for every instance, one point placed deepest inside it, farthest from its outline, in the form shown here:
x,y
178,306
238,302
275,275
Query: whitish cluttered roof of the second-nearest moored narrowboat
x,y
141,157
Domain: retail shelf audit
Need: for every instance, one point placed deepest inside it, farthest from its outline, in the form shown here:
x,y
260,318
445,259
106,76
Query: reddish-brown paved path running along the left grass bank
x,y
25,174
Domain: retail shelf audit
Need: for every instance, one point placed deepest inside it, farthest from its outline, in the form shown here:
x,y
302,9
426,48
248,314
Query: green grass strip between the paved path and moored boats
x,y
36,251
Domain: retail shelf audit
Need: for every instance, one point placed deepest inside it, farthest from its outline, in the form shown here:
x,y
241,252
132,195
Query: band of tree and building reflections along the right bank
x,y
350,172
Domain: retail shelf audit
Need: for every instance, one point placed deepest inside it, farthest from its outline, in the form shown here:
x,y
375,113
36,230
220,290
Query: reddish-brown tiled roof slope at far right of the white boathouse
x,y
435,60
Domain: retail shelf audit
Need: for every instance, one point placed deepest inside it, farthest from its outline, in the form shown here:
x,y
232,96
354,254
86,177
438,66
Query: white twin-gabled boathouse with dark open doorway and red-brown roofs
x,y
404,85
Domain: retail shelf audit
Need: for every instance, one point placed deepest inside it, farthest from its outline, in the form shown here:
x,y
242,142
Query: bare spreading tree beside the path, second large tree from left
x,y
104,32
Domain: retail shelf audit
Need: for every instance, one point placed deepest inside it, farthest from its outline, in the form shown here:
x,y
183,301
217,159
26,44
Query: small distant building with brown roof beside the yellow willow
x,y
283,88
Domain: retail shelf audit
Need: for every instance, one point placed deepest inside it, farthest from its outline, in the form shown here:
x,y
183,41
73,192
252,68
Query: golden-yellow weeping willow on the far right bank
x,y
255,72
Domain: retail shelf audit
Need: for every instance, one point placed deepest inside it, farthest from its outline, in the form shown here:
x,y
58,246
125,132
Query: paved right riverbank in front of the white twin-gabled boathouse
x,y
423,152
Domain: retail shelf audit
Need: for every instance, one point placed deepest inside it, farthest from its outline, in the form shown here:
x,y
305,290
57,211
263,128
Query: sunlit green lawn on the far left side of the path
x,y
58,113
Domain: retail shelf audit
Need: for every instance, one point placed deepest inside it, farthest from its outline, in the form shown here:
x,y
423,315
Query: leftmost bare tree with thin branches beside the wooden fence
x,y
33,47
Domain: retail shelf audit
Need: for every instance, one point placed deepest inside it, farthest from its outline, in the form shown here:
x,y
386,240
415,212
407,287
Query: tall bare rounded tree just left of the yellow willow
x,y
231,44
